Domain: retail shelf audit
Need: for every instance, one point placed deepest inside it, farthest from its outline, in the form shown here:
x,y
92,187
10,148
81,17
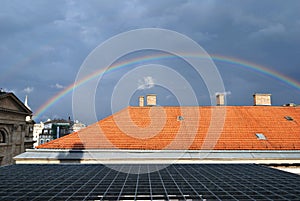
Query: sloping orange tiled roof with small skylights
x,y
211,127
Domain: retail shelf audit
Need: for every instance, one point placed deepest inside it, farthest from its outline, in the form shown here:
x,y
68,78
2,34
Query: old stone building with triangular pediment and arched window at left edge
x,y
16,127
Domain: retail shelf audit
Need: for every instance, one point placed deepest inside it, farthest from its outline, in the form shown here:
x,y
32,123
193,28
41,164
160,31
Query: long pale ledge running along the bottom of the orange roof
x,y
114,156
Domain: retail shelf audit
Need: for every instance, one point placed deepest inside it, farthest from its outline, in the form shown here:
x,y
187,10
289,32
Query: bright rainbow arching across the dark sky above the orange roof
x,y
246,64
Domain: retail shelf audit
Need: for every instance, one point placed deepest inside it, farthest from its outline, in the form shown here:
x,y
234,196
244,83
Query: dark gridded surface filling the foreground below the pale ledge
x,y
175,182
